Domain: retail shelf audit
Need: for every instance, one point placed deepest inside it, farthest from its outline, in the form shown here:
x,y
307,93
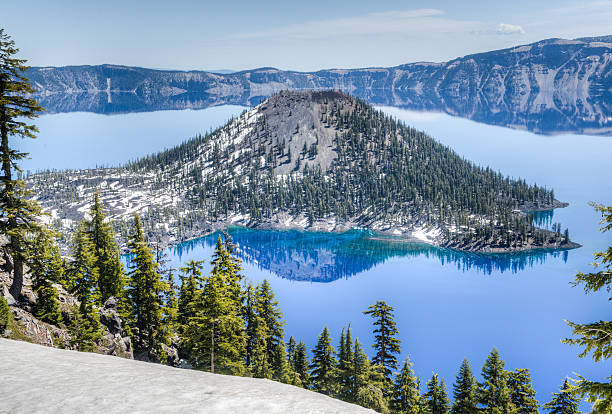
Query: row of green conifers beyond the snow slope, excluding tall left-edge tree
x,y
222,323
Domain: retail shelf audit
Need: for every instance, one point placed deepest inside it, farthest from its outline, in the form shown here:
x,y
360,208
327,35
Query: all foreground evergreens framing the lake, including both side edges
x,y
222,323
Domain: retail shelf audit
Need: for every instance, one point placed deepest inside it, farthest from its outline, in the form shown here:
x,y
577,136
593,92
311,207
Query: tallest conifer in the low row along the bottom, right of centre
x,y
493,392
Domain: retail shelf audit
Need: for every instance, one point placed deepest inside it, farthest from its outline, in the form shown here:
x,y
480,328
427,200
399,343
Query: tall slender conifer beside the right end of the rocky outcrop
x,y
146,290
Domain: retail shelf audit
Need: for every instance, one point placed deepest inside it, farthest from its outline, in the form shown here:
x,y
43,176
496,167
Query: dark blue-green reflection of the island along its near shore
x,y
325,257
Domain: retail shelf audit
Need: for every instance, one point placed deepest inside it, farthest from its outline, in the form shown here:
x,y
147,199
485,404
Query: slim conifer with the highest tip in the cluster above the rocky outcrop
x,y
111,275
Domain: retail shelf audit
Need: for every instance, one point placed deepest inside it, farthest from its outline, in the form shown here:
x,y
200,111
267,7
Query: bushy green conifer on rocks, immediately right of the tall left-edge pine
x,y
46,267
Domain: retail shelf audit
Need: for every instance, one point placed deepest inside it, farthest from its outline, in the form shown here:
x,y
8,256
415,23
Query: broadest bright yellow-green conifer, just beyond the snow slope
x,y
216,332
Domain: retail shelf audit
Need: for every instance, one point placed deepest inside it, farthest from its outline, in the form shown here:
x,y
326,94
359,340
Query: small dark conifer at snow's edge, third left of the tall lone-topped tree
x,y
323,365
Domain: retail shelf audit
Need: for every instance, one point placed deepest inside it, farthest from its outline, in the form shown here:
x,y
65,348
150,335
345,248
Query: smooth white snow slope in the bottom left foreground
x,y
35,378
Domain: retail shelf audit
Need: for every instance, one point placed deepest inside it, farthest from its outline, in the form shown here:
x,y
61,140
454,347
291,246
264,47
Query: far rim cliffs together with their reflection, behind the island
x,y
550,86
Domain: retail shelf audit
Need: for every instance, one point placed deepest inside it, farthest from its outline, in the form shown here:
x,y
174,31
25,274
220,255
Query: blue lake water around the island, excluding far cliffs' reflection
x,y
448,305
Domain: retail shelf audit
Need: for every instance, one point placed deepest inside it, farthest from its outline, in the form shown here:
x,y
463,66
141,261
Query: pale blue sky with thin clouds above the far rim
x,y
304,36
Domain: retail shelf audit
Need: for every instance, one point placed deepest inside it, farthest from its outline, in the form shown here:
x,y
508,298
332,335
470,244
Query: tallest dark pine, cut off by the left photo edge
x,y
17,212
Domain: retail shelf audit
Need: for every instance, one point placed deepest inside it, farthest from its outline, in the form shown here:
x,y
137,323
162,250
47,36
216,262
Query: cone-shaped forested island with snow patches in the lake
x,y
321,161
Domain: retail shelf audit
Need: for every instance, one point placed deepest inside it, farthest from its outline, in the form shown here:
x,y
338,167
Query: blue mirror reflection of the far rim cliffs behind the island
x,y
570,116
